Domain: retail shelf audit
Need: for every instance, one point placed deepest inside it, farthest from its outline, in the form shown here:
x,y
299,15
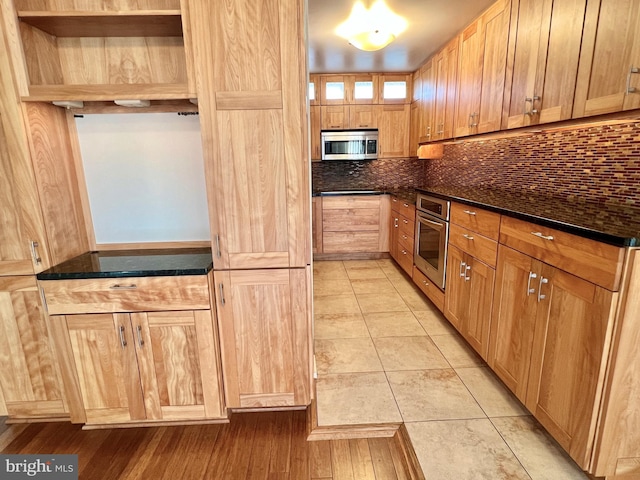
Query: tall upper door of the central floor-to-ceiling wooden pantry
x,y
253,119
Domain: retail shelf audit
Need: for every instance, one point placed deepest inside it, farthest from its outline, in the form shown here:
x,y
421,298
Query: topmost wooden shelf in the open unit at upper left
x,y
139,23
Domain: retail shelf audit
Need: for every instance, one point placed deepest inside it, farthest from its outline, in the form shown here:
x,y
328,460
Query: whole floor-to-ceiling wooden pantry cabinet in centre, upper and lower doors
x,y
251,85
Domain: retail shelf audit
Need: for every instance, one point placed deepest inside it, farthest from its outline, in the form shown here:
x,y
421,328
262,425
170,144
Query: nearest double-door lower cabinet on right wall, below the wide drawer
x,y
549,341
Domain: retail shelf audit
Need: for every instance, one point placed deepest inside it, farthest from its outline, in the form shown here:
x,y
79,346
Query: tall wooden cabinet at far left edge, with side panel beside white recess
x,y
41,225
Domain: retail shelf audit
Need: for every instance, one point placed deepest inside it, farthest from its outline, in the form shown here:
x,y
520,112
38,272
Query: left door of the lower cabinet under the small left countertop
x,y
105,360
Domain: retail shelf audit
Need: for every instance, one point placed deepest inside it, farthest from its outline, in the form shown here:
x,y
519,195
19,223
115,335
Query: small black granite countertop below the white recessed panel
x,y
133,263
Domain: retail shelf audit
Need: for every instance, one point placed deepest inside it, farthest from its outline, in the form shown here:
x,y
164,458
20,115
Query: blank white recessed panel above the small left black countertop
x,y
145,177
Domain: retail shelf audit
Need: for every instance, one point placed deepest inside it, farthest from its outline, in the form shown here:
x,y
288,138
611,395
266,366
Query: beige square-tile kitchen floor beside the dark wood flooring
x,y
385,354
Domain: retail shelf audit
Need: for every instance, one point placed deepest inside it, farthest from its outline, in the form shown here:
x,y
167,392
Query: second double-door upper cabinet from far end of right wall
x,y
481,72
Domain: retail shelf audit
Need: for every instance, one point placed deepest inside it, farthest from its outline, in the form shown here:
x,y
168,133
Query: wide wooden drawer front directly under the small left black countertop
x,y
129,294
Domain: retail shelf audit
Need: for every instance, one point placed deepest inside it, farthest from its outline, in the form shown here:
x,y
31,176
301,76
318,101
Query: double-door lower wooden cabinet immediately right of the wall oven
x,y
468,298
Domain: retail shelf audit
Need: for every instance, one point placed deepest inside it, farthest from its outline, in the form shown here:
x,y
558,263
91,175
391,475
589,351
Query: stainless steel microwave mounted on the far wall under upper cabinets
x,y
349,144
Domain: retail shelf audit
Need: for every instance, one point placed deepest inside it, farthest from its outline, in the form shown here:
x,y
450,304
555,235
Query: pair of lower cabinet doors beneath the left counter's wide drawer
x,y
145,366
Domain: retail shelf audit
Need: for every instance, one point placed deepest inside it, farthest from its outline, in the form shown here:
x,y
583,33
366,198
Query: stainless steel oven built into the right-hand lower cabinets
x,y
432,235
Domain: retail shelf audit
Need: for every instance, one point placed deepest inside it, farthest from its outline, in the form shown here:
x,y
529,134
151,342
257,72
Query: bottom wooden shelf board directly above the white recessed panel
x,y
137,91
